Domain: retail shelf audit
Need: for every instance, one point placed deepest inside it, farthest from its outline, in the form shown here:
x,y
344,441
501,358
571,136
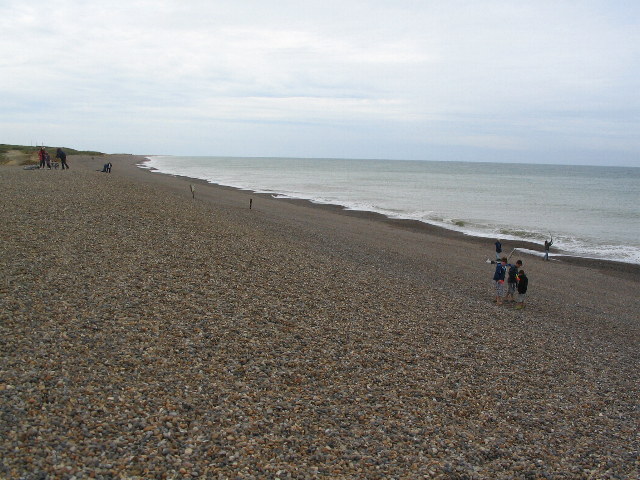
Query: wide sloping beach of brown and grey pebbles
x,y
148,334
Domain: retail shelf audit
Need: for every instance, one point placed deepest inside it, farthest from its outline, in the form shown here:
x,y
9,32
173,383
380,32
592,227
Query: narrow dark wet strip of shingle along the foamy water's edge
x,y
629,270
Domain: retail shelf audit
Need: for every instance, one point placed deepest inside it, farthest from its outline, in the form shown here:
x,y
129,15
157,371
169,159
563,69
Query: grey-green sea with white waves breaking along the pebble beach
x,y
590,211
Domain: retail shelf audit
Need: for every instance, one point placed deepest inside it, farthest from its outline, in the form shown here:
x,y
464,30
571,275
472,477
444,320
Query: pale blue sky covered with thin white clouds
x,y
506,81
